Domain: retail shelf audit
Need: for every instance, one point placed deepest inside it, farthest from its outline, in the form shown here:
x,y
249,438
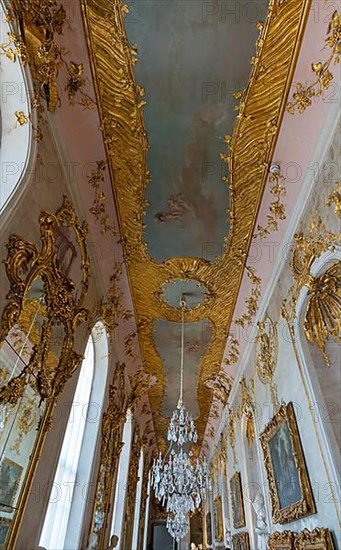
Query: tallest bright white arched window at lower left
x,y
65,512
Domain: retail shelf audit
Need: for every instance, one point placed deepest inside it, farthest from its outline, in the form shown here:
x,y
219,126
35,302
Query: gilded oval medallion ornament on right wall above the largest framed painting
x,y
267,354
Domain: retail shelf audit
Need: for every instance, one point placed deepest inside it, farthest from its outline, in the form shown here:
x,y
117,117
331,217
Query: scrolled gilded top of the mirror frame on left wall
x,y
25,264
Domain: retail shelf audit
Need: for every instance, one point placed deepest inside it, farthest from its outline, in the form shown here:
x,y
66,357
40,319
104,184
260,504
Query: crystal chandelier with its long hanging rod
x,y
179,482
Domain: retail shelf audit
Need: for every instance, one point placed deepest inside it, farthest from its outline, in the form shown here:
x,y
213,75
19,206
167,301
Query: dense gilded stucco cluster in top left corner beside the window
x,y
38,24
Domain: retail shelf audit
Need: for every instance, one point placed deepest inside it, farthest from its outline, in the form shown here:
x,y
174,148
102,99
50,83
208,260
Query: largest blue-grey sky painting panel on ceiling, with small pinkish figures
x,y
192,57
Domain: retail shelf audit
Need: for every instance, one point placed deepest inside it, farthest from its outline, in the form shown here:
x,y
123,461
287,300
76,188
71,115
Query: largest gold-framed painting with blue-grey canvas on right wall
x,y
290,490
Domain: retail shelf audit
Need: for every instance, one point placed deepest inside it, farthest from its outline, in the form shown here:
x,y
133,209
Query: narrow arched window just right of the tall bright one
x,y
122,477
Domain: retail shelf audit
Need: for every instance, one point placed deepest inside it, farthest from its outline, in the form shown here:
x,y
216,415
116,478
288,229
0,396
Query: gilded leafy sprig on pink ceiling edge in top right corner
x,y
302,98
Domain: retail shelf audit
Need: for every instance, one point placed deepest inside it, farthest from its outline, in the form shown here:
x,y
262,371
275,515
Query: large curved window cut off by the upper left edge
x,y
15,138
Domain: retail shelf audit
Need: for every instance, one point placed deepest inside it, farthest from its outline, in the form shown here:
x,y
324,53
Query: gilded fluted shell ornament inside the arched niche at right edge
x,y
323,315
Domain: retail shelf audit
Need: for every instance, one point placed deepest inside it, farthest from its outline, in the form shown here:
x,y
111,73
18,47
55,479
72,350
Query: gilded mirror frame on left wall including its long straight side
x,y
44,269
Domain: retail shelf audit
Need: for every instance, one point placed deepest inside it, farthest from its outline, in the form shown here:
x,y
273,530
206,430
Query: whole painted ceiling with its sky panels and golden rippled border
x,y
168,205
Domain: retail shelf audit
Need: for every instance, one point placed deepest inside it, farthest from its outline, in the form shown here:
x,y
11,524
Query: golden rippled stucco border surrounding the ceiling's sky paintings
x,y
249,154
